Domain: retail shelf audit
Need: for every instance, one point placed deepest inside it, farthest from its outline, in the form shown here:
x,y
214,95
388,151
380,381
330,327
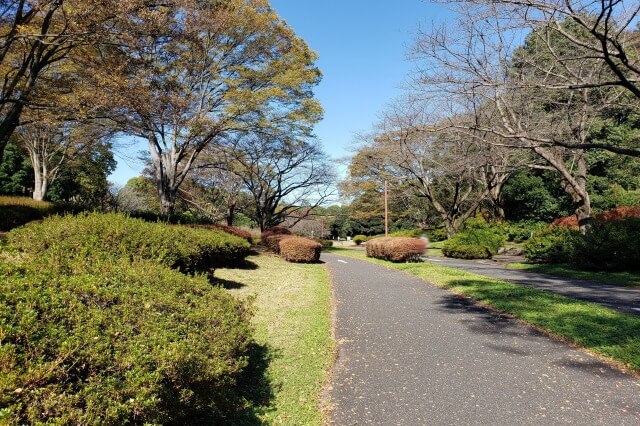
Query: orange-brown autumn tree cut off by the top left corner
x,y
39,35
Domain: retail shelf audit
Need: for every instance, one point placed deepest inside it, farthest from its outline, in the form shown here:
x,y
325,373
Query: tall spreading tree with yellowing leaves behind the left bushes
x,y
207,70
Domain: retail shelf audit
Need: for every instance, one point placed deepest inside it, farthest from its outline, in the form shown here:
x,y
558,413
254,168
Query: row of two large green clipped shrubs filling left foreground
x,y
96,328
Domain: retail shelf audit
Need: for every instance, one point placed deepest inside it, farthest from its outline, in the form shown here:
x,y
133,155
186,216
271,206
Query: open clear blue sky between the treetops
x,y
363,46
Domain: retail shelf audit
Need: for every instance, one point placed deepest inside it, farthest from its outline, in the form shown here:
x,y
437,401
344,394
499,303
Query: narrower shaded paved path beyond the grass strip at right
x,y
626,299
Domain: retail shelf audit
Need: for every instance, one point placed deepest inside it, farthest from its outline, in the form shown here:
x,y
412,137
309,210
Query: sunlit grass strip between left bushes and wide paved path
x,y
292,321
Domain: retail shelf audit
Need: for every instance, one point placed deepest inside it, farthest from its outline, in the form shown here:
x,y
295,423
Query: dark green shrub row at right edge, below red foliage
x,y
610,245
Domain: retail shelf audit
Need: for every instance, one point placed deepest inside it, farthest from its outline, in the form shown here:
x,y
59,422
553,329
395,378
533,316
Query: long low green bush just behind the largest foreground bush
x,y
94,236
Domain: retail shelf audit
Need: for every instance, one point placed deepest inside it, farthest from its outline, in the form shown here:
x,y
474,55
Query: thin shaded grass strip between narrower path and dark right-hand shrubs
x,y
626,279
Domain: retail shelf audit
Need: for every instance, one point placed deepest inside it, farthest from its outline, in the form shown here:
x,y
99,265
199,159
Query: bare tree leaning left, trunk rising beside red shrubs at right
x,y
481,67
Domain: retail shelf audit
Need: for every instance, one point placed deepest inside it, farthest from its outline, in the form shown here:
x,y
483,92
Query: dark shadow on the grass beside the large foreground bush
x,y
254,387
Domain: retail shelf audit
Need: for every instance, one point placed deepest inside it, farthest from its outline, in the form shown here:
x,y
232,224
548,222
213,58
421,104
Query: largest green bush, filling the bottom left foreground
x,y
115,342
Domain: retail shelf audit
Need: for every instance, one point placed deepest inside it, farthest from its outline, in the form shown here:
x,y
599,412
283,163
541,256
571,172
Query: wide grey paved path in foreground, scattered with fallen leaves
x,y
411,354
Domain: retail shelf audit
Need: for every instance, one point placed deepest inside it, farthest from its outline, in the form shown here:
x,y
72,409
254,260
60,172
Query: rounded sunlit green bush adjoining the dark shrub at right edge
x,y
554,245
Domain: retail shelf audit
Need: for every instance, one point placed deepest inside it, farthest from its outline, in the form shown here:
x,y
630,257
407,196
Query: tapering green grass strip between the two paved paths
x,y
606,332
